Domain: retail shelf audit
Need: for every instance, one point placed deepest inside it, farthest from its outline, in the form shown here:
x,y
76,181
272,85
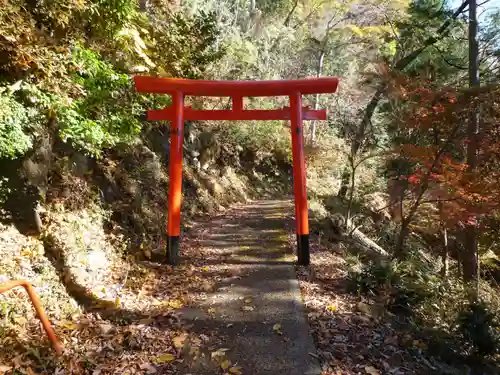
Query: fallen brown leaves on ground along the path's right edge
x,y
351,336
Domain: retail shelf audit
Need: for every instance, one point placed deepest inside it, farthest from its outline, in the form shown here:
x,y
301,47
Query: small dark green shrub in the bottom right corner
x,y
480,328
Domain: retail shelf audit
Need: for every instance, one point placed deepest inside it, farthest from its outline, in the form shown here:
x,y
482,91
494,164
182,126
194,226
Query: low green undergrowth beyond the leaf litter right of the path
x,y
412,289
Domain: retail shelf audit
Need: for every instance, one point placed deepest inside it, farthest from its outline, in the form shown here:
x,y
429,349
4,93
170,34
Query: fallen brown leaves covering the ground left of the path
x,y
139,331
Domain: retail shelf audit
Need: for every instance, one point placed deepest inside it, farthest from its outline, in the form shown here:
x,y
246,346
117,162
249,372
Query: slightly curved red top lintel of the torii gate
x,y
323,85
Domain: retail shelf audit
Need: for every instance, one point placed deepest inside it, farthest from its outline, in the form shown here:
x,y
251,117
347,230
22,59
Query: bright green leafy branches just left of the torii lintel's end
x,y
107,111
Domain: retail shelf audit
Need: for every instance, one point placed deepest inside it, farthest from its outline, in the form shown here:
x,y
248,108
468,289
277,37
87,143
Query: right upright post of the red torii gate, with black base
x,y
299,179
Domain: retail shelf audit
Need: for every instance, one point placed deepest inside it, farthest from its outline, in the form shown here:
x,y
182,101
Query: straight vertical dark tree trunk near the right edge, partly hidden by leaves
x,y
470,262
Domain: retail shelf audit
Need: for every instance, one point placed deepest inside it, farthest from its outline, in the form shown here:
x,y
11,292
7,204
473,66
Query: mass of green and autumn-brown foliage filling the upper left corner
x,y
72,73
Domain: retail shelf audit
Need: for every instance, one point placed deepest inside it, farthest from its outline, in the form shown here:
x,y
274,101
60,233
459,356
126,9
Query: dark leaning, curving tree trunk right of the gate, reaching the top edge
x,y
372,105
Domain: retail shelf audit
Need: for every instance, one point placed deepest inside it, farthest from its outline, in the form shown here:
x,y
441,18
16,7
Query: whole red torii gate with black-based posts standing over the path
x,y
237,90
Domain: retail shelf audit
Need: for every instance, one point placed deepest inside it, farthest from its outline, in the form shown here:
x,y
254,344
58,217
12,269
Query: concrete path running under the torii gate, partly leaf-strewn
x,y
257,313
